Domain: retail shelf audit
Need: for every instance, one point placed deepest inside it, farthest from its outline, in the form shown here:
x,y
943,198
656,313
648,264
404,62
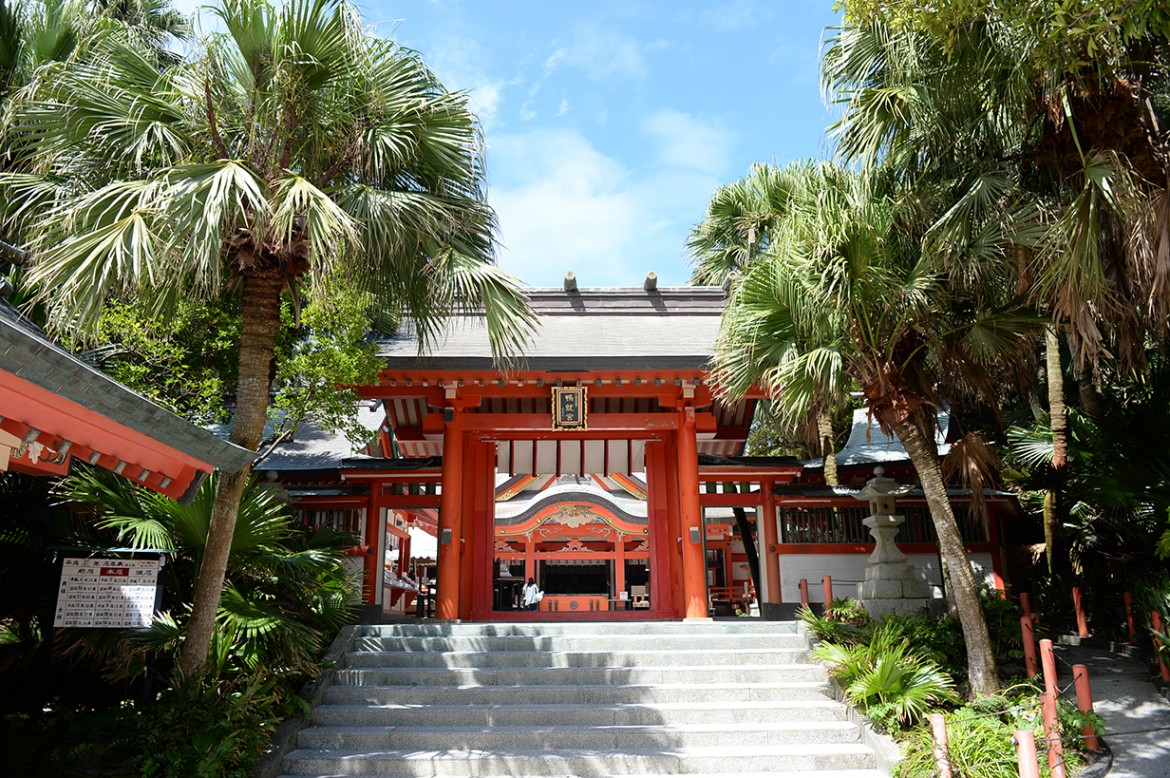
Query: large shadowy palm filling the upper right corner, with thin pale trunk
x,y
1047,139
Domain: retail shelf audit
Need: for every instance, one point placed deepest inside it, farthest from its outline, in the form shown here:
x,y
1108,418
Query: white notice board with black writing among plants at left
x,y
115,594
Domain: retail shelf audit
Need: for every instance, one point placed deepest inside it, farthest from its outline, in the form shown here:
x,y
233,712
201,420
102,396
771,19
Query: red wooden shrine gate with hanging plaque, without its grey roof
x,y
634,423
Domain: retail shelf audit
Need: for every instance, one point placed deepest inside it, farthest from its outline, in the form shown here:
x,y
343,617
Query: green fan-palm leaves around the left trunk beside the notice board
x,y
288,590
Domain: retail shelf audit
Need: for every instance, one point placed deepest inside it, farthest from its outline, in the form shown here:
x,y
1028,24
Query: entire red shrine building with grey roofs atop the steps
x,y
603,466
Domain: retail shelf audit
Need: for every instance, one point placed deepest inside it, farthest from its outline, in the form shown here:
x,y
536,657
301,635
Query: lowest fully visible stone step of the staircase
x,y
505,761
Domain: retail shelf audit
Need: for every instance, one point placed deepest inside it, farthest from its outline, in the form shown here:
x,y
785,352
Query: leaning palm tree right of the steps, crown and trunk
x,y
846,294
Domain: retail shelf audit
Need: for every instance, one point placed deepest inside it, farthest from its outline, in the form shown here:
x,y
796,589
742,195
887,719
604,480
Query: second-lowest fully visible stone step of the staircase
x,y
576,736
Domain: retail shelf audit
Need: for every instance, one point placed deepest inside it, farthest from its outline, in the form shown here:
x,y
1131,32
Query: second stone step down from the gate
x,y
580,643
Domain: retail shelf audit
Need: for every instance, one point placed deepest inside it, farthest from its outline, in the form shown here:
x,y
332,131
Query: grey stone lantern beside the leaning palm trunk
x,y
891,586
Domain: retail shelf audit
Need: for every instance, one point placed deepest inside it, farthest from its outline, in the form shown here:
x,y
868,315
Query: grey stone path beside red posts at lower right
x,y
1138,717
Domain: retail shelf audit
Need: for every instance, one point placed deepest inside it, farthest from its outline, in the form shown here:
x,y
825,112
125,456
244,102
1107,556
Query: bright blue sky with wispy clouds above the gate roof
x,y
610,123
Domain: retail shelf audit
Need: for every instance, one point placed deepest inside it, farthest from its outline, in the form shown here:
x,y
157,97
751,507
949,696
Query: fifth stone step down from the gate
x,y
474,694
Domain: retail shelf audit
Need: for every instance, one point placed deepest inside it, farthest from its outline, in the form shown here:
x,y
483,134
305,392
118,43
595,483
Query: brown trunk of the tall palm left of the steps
x,y
260,314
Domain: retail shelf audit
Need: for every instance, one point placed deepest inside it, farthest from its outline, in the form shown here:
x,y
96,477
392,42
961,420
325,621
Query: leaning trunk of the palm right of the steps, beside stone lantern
x,y
958,569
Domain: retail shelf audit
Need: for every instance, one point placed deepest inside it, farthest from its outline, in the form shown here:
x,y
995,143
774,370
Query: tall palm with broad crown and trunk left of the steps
x,y
294,147
